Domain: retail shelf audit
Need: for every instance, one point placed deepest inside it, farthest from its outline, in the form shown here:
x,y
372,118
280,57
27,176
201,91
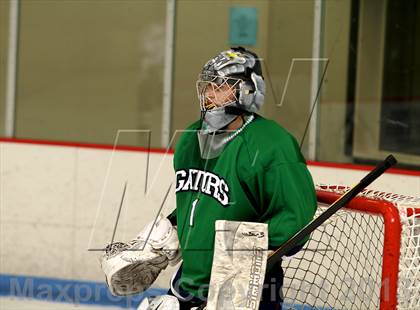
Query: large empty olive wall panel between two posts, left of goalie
x,y
89,68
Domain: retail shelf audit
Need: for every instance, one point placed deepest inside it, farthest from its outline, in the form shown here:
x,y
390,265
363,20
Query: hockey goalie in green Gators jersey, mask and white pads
x,y
242,188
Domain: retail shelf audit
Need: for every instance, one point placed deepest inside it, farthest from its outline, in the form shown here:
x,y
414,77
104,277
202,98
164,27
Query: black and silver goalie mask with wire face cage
x,y
229,85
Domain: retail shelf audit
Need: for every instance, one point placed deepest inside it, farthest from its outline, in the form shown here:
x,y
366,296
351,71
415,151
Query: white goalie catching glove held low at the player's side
x,y
132,267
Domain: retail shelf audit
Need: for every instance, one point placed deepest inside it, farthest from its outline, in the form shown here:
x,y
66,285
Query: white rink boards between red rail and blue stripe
x,y
57,202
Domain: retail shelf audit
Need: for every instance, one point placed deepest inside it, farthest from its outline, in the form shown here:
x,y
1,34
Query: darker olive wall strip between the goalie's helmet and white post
x,y
290,36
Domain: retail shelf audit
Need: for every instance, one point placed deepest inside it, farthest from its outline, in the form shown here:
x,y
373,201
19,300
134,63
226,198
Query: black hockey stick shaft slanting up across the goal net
x,y
337,205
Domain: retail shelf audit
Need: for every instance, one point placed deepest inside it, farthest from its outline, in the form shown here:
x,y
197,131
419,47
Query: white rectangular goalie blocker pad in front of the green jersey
x,y
239,265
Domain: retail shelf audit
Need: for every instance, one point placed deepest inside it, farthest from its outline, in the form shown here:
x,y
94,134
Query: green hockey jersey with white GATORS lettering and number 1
x,y
261,176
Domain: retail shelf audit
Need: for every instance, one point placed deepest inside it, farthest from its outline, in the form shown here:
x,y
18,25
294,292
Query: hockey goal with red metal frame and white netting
x,y
366,256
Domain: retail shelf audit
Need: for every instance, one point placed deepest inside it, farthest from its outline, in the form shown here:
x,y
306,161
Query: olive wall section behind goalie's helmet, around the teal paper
x,y
202,31
